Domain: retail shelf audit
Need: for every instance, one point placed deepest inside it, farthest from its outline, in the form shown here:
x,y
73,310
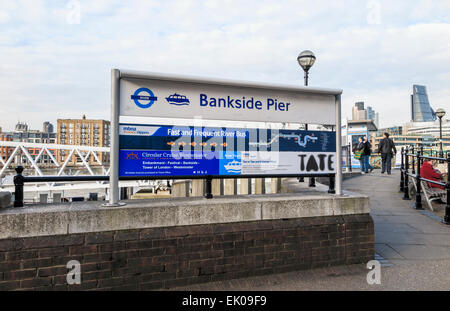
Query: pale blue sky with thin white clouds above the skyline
x,y
56,55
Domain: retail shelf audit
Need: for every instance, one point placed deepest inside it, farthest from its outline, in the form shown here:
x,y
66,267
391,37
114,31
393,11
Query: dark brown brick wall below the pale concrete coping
x,y
175,256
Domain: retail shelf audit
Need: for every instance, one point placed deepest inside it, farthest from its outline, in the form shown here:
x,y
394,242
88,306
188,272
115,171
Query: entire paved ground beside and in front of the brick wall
x,y
414,249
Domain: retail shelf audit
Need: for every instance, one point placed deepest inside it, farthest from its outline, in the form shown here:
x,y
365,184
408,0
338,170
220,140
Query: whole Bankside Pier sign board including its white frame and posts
x,y
158,151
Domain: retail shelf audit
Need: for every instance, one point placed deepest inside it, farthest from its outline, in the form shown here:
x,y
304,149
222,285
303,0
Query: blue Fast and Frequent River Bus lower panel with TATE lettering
x,y
158,150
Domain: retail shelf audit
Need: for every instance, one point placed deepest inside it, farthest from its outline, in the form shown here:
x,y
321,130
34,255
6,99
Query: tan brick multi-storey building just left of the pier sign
x,y
83,132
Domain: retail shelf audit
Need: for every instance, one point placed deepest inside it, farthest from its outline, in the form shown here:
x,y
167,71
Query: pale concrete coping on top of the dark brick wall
x,y
84,217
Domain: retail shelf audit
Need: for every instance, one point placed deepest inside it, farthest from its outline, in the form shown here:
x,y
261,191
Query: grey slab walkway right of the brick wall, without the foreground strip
x,y
402,234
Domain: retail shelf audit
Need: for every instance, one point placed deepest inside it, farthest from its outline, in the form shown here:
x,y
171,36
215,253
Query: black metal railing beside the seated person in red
x,y
411,162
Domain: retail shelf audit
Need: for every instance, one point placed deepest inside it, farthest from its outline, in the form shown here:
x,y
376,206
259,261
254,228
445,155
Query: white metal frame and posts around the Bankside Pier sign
x,y
117,75
